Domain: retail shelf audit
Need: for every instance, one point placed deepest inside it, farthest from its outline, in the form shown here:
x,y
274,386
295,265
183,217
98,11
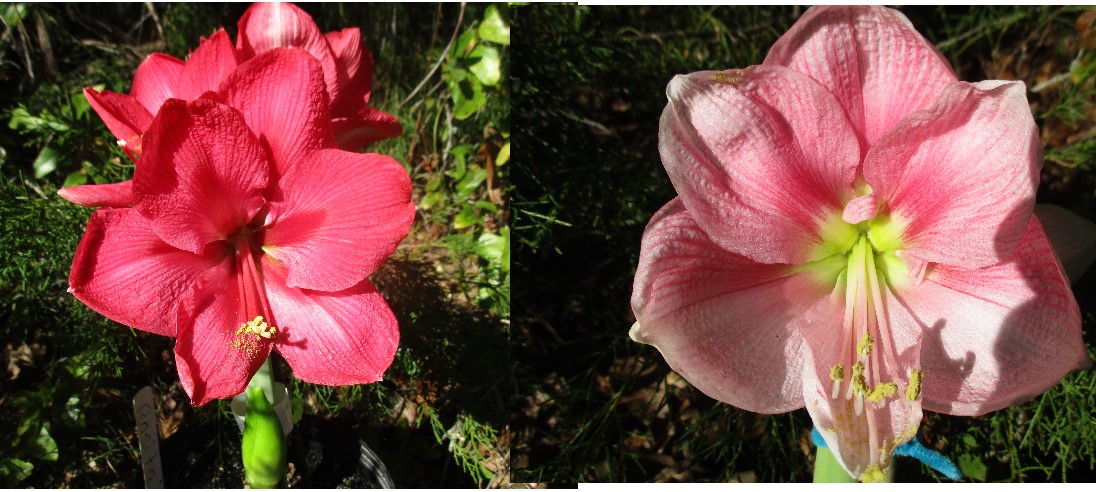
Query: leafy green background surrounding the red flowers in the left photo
x,y
446,283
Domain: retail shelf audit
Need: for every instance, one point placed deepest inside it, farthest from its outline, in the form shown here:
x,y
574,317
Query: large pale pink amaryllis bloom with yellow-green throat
x,y
854,235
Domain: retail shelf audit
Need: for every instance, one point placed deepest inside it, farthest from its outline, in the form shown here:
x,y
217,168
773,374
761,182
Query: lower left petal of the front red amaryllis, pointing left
x,y
124,271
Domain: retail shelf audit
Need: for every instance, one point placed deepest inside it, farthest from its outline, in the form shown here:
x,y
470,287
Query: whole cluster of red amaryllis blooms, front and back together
x,y
247,228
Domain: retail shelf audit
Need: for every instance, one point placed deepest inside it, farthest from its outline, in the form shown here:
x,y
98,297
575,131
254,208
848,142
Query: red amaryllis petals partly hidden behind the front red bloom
x,y
347,66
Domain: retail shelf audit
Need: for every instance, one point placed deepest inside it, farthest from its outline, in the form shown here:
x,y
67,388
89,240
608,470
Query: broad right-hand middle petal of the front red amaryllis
x,y
340,215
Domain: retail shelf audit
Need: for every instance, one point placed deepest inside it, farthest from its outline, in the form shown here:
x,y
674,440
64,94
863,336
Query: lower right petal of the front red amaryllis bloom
x,y
344,338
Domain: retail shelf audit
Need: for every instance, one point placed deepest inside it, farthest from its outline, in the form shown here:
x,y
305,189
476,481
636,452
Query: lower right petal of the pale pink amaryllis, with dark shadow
x,y
998,336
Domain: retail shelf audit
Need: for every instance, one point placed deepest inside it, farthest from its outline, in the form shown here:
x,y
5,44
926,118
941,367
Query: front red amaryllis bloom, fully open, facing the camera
x,y
238,246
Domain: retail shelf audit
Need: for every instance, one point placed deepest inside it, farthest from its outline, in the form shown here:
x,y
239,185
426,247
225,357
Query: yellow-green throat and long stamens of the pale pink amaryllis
x,y
863,264
